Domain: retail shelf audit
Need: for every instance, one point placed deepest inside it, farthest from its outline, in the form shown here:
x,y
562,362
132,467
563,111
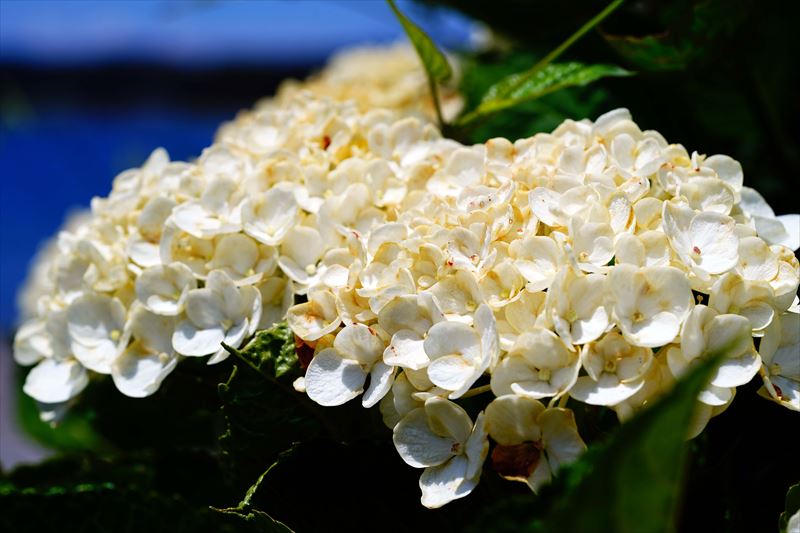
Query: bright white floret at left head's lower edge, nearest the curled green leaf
x,y
218,313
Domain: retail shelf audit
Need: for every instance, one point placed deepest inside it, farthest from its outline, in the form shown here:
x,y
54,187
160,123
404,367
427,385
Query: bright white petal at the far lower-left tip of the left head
x,y
53,381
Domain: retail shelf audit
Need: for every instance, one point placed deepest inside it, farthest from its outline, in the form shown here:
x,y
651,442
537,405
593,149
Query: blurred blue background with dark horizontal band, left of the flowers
x,y
90,88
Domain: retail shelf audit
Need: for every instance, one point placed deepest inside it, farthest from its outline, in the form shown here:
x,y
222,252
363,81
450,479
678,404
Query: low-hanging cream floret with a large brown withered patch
x,y
532,442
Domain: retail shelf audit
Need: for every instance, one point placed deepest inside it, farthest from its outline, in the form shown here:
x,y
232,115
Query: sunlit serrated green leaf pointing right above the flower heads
x,y
525,86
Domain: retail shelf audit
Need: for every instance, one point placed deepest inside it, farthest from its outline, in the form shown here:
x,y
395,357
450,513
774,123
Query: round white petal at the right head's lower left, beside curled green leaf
x,y
332,380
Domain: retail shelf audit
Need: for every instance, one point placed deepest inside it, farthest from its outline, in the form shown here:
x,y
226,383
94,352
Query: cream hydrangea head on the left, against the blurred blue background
x,y
182,257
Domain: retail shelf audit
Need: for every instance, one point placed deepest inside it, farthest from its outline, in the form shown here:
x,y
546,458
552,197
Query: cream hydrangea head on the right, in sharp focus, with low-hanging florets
x,y
595,264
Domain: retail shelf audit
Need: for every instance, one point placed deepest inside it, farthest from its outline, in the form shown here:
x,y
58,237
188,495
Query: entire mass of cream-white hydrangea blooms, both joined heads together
x,y
595,263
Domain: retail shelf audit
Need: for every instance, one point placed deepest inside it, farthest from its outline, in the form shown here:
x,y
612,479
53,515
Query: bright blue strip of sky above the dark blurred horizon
x,y
204,32
